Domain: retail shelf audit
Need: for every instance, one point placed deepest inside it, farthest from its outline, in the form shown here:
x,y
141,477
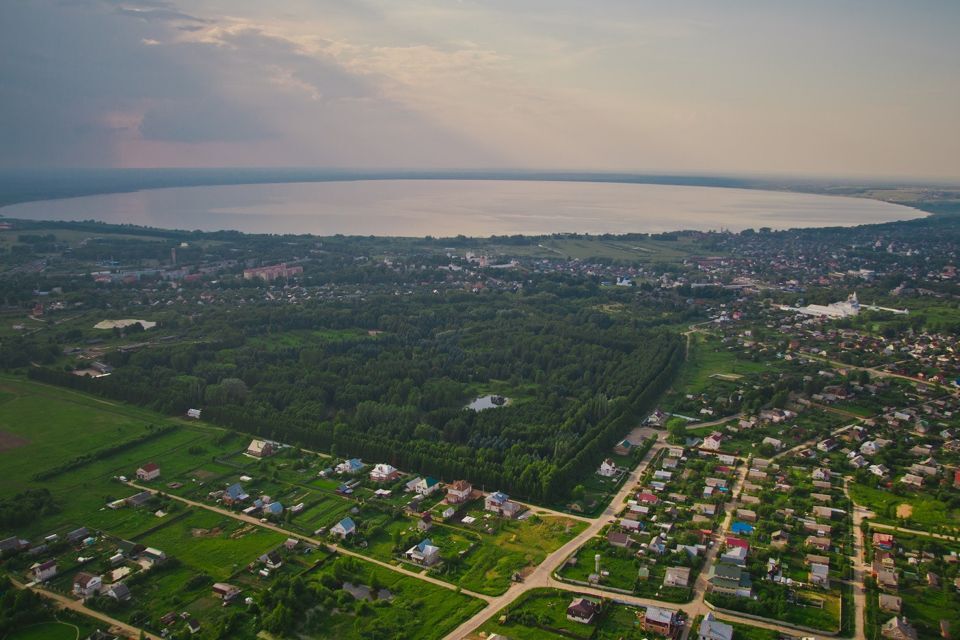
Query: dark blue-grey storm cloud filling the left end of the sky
x,y
70,73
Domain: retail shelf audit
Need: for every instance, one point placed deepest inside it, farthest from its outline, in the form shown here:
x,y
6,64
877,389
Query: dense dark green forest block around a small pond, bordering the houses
x,y
387,379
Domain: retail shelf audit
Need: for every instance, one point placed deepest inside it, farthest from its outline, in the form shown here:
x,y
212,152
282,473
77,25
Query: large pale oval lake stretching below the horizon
x,y
468,207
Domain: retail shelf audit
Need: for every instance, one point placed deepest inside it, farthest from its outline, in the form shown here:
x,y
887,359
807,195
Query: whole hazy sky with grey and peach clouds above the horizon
x,y
823,88
